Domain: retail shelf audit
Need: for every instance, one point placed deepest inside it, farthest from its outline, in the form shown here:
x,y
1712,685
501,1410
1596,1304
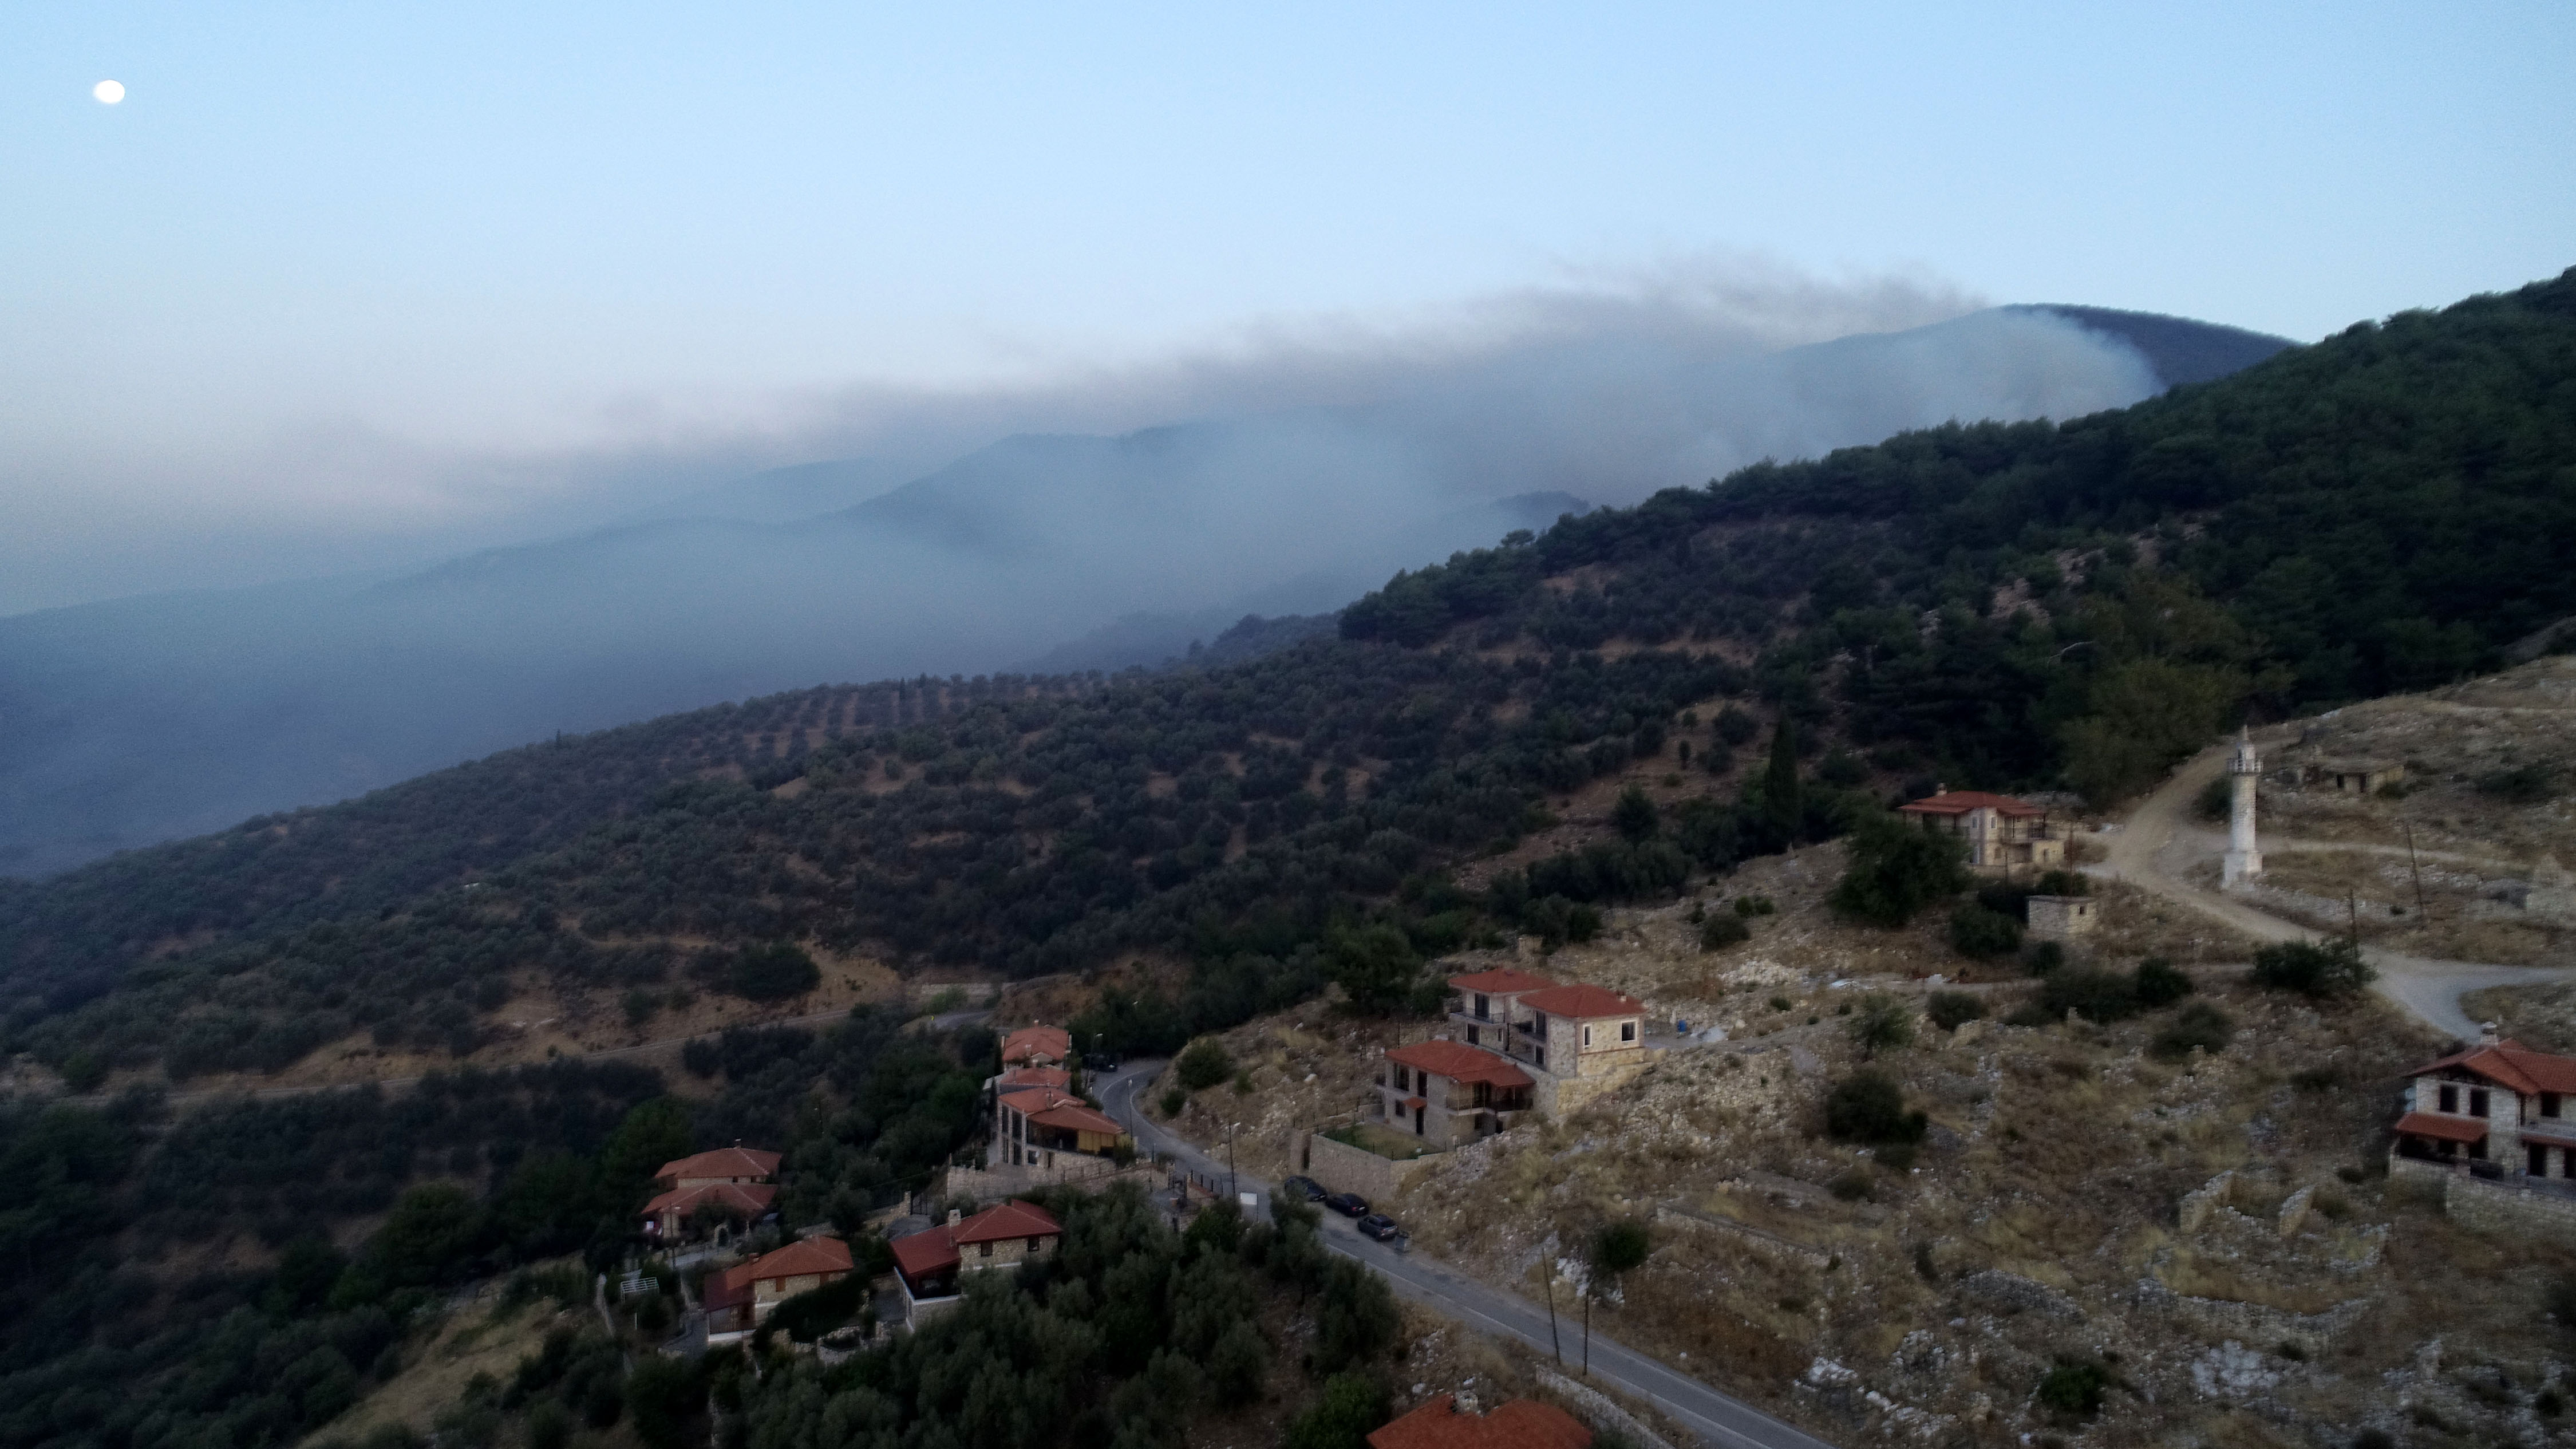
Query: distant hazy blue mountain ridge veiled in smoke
x,y
153,718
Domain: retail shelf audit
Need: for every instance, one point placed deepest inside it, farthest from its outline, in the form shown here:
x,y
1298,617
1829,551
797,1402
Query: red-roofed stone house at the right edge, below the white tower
x,y
2497,1110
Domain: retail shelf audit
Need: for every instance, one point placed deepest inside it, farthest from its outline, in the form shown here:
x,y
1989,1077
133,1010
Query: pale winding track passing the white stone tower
x,y
2163,842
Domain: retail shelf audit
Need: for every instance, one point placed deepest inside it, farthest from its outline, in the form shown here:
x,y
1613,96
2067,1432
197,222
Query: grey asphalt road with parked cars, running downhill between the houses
x,y
1717,1419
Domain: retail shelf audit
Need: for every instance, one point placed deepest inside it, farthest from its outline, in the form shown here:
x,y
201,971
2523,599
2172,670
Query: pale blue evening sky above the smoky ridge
x,y
359,285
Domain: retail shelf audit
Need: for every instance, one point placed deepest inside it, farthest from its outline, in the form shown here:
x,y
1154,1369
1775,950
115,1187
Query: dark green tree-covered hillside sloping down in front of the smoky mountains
x,y
1985,605
